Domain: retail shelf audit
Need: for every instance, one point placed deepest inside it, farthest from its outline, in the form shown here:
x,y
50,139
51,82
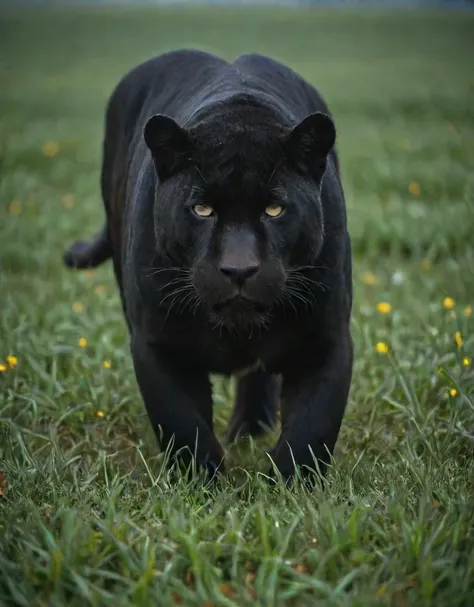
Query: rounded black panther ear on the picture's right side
x,y
309,143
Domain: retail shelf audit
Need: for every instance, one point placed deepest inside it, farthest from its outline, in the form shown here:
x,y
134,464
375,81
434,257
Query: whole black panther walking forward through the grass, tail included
x,y
226,224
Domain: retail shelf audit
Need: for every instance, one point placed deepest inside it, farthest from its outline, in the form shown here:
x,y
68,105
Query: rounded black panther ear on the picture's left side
x,y
169,144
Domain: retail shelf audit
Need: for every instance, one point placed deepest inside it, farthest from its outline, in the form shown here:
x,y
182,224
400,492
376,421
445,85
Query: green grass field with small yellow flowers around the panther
x,y
88,514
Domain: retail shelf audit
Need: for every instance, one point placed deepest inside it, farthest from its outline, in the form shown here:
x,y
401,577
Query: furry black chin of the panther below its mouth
x,y
240,315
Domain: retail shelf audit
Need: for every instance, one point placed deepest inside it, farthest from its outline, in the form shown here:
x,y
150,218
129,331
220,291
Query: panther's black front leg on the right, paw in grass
x,y
314,398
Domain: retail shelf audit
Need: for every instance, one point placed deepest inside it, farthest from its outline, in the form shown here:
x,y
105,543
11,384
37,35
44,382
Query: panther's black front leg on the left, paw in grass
x,y
178,400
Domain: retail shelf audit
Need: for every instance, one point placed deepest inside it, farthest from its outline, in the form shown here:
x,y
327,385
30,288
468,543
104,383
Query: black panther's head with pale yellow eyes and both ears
x,y
238,205
